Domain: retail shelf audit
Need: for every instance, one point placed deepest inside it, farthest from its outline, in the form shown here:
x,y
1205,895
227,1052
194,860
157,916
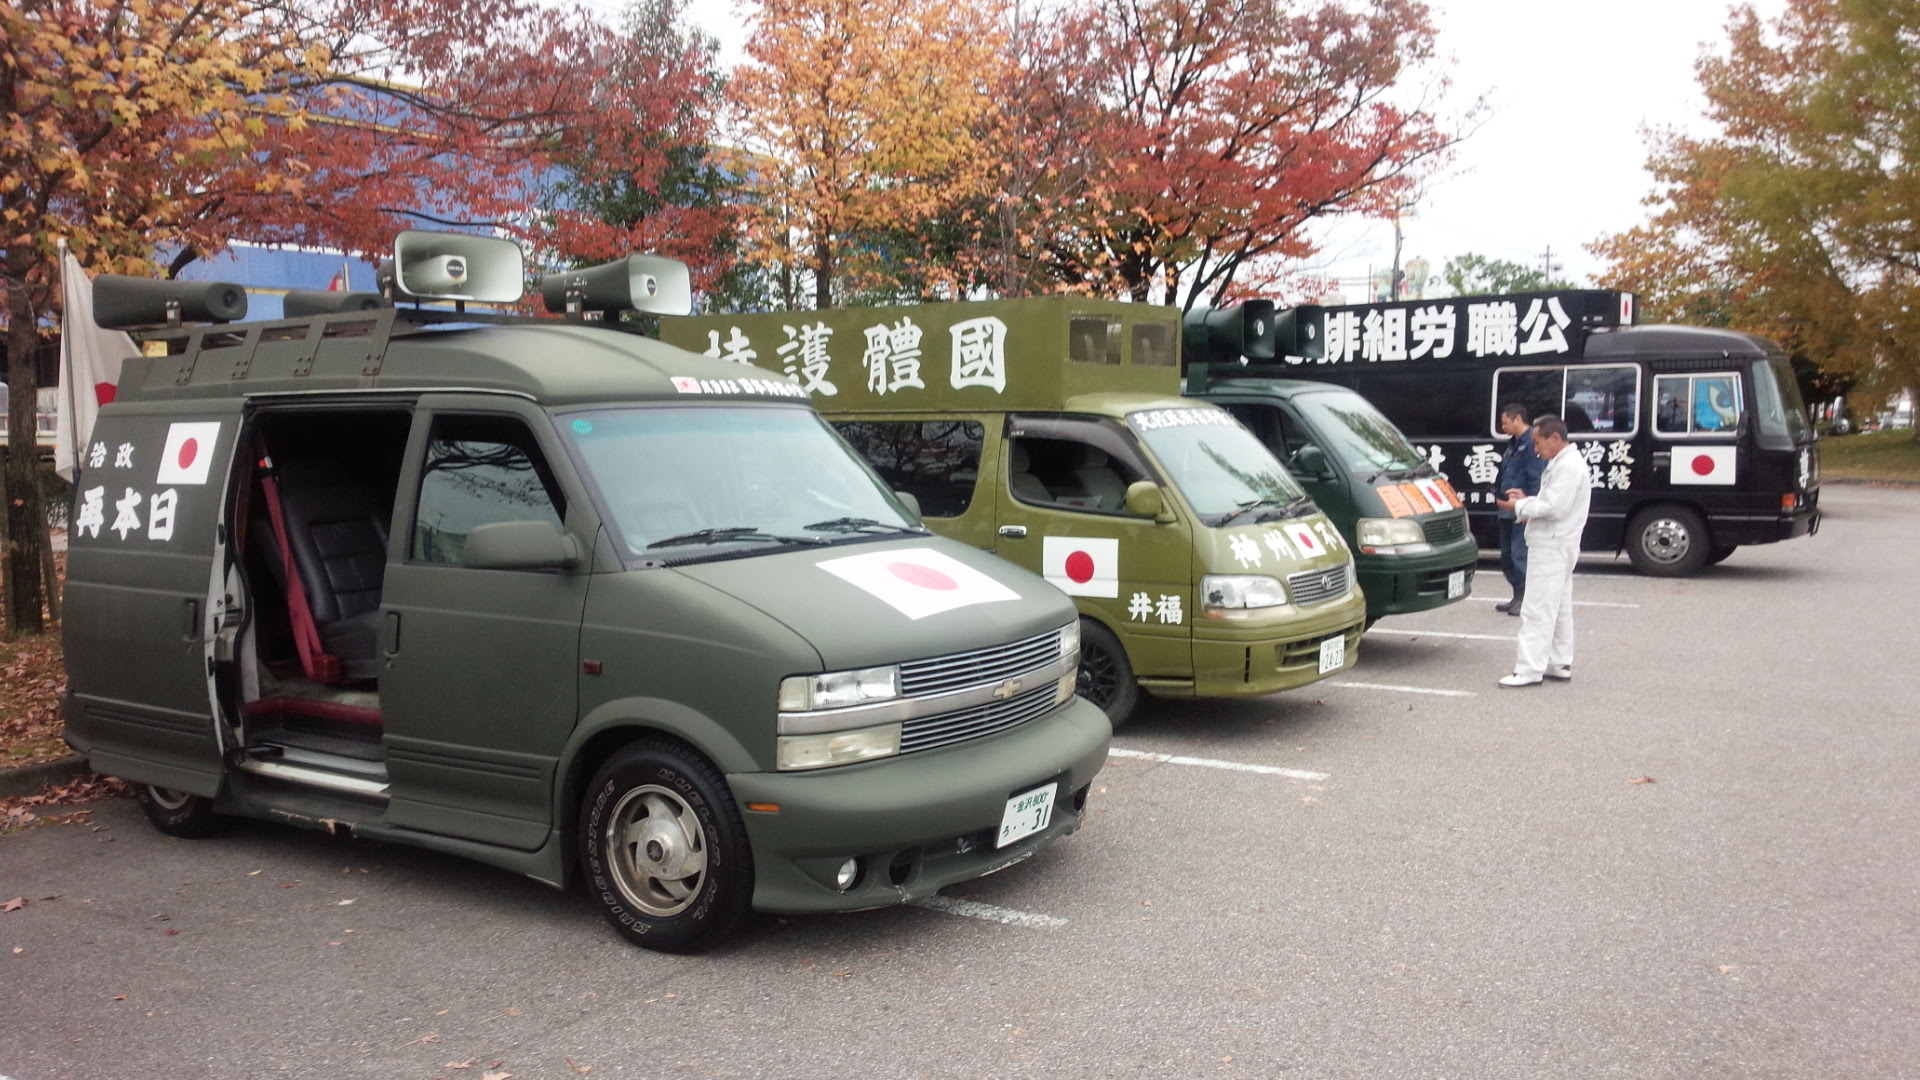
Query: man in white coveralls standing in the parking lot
x,y
1554,520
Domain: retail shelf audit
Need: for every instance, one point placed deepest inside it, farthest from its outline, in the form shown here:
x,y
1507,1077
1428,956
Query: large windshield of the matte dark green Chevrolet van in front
x,y
698,483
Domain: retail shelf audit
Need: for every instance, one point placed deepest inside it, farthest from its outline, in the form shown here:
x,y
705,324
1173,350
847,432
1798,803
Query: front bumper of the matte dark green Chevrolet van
x,y
921,822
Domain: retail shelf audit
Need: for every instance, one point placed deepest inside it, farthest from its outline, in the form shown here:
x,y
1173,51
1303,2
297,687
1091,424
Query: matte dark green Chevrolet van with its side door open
x,y
554,597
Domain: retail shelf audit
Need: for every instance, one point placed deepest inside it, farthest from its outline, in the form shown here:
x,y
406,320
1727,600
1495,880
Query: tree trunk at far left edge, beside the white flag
x,y
26,520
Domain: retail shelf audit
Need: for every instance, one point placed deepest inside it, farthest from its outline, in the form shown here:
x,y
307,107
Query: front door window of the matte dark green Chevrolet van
x,y
479,472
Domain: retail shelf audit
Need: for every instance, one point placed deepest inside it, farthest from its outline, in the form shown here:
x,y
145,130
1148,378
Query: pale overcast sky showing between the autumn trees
x,y
1560,155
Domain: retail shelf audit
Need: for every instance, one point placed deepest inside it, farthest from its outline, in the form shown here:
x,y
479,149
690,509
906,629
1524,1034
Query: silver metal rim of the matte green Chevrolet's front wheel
x,y
658,850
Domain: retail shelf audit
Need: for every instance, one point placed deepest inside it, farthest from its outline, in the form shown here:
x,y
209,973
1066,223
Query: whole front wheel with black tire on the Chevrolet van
x,y
665,850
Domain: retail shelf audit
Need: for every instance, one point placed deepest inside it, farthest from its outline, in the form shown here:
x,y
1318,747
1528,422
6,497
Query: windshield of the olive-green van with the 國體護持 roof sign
x,y
1216,464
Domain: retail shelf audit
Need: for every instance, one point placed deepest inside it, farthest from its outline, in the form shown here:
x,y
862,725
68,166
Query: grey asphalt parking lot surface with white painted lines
x,y
1694,862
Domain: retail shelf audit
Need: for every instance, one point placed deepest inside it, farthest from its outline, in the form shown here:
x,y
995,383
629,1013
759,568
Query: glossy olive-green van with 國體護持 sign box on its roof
x,y
1053,433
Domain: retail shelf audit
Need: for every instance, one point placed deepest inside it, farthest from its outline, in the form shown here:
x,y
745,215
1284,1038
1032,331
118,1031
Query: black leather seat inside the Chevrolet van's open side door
x,y
337,531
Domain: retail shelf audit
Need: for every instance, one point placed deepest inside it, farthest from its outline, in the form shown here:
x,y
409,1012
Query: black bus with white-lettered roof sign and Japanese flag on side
x,y
1696,437
